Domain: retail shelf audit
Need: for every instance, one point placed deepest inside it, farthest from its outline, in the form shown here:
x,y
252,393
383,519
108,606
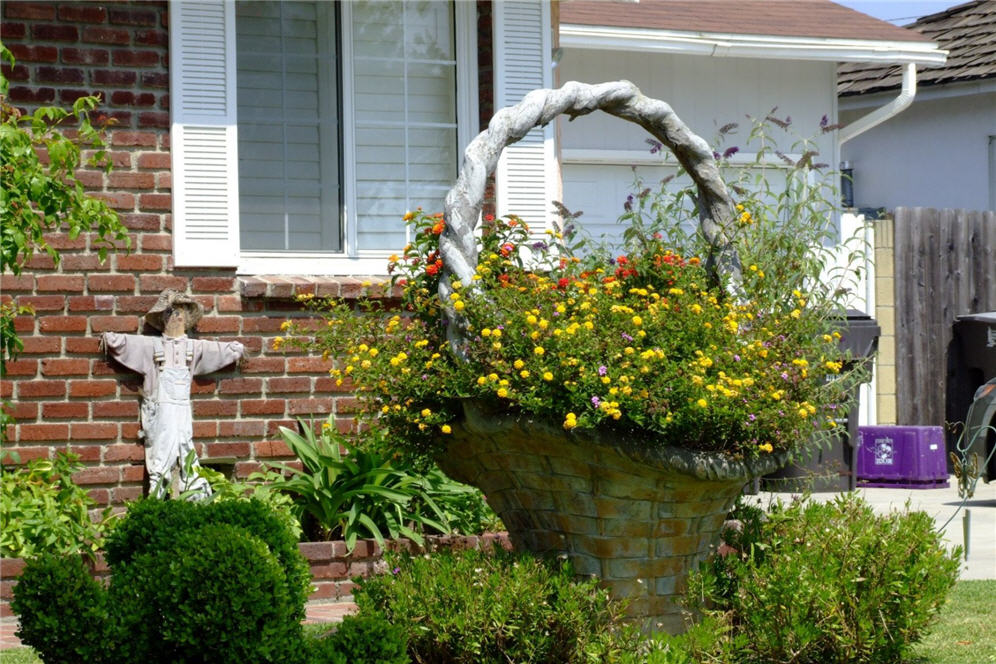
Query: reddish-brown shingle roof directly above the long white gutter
x,y
786,18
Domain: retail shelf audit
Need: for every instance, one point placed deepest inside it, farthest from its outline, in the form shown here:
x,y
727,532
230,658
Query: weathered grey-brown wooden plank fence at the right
x,y
945,266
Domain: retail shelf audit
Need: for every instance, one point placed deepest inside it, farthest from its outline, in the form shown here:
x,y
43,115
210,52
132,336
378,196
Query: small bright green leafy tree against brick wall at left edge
x,y
40,193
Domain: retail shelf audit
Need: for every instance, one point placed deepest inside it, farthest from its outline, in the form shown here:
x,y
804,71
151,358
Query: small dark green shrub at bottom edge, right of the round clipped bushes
x,y
361,639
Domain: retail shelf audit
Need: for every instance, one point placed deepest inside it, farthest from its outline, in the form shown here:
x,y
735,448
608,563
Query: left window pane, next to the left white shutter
x,y
288,126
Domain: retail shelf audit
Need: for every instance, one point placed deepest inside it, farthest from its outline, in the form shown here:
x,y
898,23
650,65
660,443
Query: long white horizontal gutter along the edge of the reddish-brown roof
x,y
717,44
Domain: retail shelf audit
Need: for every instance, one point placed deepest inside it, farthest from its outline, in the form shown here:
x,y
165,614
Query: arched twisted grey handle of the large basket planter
x,y
458,245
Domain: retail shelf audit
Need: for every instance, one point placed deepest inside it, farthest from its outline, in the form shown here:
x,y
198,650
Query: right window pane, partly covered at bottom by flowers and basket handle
x,y
404,78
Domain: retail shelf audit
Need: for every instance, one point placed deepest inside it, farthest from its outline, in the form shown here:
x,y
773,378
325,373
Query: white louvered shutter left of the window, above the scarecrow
x,y
204,140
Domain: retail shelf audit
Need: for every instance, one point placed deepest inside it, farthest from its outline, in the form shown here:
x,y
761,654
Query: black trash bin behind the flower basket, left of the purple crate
x,y
832,469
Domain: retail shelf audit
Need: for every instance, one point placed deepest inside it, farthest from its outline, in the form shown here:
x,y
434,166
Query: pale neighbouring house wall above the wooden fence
x,y
933,154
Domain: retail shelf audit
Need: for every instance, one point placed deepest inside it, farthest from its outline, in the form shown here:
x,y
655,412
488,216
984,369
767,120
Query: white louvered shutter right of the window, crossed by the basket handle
x,y
526,177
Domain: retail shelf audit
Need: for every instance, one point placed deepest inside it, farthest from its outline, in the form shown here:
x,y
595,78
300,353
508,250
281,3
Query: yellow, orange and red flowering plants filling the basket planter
x,y
722,339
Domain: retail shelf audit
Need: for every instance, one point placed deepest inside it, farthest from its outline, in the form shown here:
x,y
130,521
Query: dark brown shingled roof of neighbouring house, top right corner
x,y
967,31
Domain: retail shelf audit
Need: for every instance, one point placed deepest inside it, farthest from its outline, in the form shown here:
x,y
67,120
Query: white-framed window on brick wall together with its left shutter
x,y
346,114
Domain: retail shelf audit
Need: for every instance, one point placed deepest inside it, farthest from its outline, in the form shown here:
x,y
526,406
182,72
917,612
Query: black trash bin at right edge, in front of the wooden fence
x,y
974,365
